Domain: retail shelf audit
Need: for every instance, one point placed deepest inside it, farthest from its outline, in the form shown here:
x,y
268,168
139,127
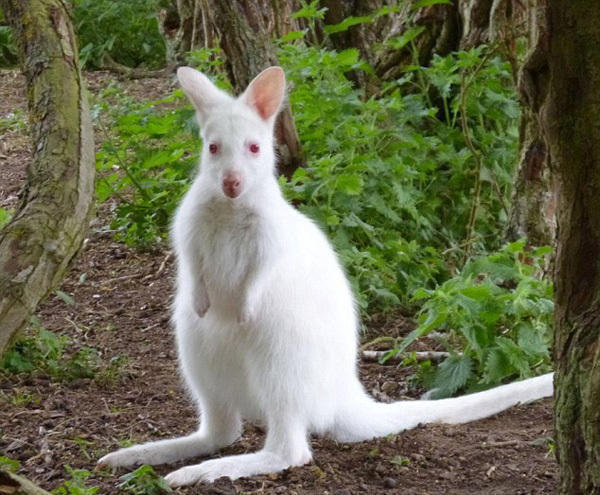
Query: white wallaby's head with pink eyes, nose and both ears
x,y
237,133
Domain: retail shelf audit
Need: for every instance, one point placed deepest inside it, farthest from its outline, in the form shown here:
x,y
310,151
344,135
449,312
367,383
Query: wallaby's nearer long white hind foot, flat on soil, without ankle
x,y
233,467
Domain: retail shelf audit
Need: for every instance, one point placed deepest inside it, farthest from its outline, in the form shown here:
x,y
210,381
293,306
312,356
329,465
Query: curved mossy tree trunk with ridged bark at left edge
x,y
49,225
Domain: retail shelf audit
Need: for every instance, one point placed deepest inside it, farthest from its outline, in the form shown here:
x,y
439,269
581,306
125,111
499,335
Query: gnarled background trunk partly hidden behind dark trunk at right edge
x,y
534,202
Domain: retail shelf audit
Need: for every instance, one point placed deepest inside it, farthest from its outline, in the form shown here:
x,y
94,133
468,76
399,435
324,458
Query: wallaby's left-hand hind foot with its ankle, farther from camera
x,y
219,427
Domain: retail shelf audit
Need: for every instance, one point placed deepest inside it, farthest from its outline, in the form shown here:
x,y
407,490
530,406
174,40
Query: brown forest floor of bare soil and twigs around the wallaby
x,y
121,309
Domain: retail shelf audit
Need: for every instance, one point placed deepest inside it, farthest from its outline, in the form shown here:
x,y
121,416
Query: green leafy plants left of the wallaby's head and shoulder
x,y
146,164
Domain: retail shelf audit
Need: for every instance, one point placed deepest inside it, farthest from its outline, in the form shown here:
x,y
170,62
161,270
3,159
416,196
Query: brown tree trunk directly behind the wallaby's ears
x,y
245,38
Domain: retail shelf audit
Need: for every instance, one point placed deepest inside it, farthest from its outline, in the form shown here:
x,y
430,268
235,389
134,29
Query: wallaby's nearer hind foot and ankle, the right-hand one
x,y
286,445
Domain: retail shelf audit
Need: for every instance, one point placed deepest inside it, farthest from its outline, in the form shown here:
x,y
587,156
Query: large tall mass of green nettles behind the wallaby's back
x,y
408,184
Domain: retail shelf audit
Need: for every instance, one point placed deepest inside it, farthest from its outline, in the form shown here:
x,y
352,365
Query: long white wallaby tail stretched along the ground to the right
x,y
365,418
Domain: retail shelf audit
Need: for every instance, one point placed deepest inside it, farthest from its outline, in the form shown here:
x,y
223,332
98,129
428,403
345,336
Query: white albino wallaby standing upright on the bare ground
x,y
265,319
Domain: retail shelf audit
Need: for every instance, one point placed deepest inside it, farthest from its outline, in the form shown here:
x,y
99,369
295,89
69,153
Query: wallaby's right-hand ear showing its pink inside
x,y
265,93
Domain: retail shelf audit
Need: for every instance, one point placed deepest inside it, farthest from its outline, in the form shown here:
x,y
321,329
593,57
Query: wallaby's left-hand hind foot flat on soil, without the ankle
x,y
161,452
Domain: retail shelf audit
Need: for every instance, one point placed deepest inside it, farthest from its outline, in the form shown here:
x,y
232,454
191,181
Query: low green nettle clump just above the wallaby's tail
x,y
495,319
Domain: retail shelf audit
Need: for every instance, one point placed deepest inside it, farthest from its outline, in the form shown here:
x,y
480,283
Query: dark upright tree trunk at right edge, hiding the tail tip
x,y
569,115
